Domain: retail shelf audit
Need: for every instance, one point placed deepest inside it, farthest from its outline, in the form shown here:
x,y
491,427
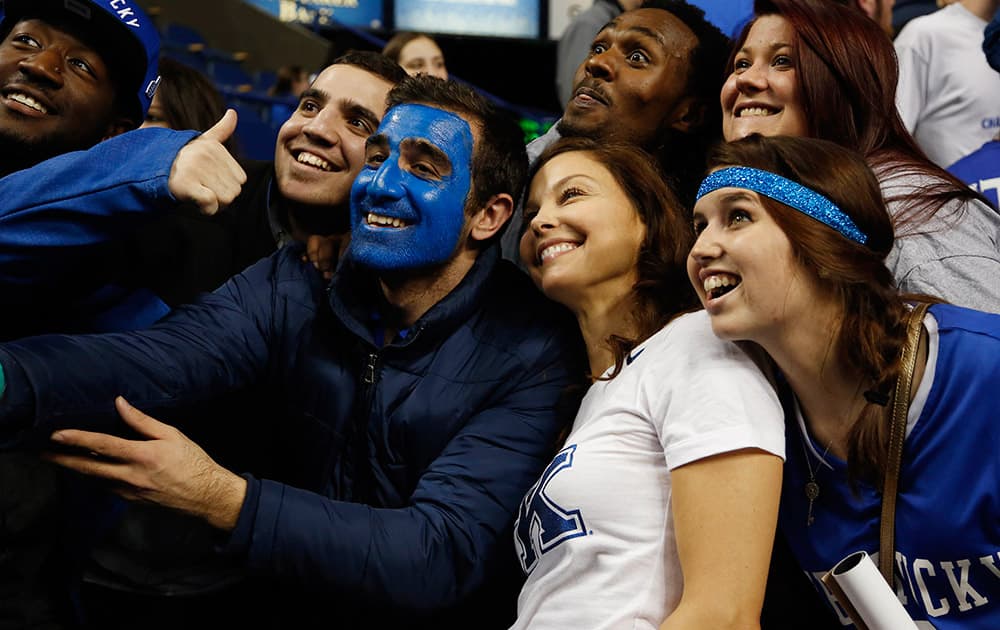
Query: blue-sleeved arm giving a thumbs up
x,y
53,212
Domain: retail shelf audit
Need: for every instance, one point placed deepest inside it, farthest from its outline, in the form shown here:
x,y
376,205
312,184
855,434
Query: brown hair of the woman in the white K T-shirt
x,y
662,291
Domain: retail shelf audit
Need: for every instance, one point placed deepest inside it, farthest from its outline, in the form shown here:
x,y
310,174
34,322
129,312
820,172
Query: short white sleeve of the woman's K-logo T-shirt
x,y
707,396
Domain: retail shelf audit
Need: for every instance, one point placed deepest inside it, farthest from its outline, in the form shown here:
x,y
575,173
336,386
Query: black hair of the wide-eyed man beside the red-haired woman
x,y
683,157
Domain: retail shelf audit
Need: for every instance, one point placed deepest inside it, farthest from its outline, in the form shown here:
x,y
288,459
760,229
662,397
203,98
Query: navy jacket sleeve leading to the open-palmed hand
x,y
436,550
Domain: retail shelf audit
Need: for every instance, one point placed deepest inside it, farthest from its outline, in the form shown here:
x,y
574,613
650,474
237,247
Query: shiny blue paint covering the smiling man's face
x,y
417,173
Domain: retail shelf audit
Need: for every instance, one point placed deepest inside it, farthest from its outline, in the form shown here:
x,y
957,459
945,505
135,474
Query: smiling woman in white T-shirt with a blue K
x,y
660,509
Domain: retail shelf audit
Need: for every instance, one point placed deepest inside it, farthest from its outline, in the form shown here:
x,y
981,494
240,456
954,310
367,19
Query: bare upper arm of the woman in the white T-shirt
x,y
725,510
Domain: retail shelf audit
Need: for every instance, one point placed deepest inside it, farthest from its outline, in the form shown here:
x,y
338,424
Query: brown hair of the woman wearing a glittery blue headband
x,y
873,327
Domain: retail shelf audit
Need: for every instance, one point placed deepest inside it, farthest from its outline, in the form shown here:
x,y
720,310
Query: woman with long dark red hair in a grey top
x,y
820,69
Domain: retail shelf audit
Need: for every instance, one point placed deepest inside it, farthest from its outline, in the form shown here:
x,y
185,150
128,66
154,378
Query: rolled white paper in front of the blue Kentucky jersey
x,y
871,596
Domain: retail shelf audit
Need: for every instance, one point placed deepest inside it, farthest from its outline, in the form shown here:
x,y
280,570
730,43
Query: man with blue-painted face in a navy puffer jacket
x,y
422,391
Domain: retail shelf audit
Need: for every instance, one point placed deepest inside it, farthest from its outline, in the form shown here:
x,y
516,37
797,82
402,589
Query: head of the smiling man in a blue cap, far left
x,y
72,73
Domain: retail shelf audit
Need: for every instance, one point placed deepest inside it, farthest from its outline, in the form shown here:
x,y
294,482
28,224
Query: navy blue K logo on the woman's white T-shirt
x,y
541,523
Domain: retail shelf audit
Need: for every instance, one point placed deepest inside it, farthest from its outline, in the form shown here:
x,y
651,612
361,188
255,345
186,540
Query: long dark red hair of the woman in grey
x,y
847,82
